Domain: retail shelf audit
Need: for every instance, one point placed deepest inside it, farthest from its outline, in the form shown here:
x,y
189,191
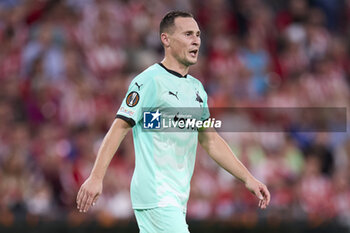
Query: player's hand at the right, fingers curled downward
x,y
260,190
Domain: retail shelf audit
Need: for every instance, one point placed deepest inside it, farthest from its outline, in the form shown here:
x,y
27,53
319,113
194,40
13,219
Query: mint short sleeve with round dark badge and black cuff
x,y
141,95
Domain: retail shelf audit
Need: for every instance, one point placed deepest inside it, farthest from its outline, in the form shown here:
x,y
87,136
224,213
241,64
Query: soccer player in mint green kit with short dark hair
x,y
164,161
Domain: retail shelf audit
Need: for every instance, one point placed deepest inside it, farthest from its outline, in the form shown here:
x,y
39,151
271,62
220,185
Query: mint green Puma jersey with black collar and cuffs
x,y
164,161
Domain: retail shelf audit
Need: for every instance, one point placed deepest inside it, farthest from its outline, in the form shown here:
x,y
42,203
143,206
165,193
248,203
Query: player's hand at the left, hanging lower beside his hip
x,y
88,193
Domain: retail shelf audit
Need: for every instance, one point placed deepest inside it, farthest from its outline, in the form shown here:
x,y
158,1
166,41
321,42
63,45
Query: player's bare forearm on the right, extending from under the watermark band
x,y
219,151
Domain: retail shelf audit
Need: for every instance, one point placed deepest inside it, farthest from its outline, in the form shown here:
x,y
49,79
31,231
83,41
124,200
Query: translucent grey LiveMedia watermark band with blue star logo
x,y
313,119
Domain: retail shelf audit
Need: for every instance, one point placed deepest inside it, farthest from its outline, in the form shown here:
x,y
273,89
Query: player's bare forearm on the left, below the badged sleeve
x,y
109,146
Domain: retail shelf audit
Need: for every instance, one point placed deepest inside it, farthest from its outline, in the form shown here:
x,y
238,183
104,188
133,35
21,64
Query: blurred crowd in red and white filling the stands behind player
x,y
65,67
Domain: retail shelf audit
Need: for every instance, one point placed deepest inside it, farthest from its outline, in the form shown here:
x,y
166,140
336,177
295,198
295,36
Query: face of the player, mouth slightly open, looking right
x,y
184,41
